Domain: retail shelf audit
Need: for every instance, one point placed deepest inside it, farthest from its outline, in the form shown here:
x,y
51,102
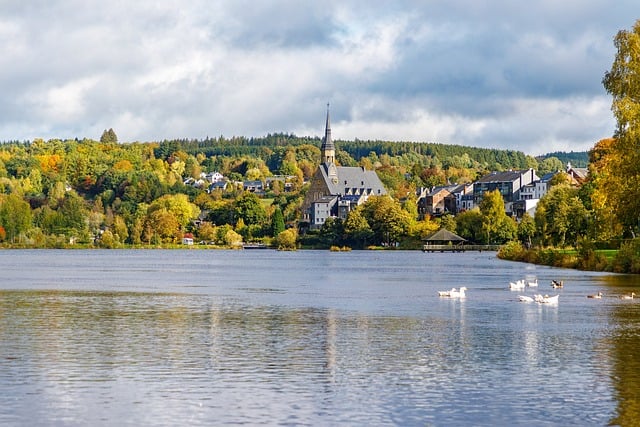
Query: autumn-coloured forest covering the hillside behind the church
x,y
107,193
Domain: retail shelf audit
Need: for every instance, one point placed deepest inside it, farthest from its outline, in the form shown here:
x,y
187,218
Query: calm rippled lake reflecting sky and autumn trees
x,y
215,337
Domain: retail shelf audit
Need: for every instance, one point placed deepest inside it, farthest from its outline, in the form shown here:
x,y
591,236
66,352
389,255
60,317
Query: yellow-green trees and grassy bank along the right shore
x,y
610,214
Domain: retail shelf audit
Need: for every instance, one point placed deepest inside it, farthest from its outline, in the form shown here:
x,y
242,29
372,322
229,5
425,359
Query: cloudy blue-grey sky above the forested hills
x,y
500,74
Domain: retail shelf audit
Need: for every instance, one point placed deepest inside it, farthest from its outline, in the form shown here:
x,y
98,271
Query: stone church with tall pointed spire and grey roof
x,y
336,190
